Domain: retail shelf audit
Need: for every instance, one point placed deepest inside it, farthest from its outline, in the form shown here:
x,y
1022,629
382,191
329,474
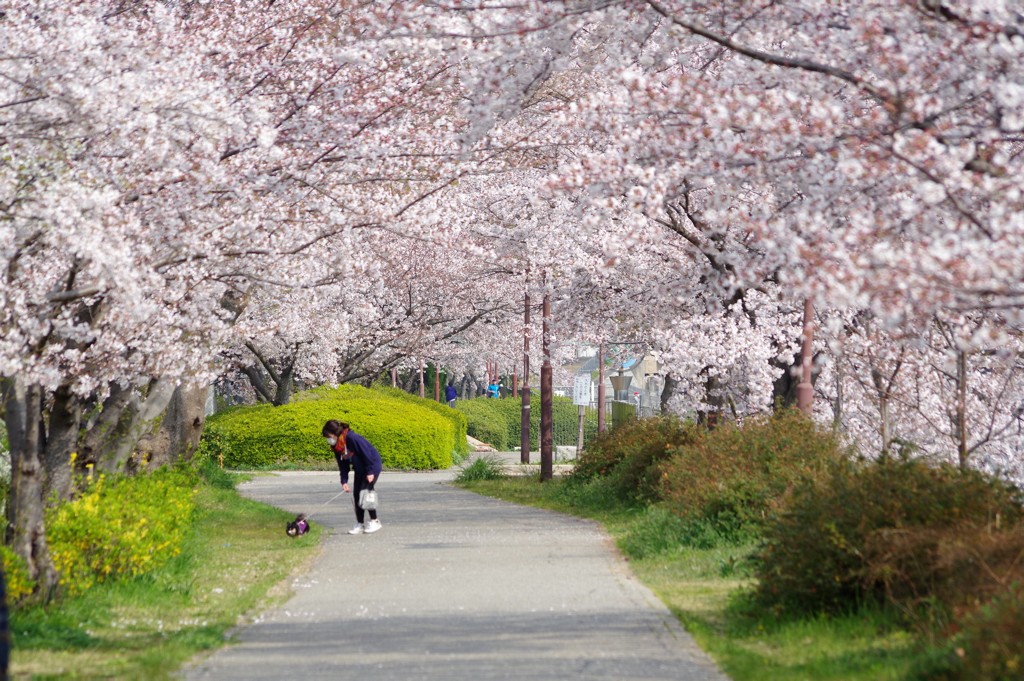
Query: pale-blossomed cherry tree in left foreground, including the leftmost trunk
x,y
102,302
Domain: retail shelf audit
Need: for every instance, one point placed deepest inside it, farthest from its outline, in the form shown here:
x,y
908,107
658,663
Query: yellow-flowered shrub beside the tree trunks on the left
x,y
120,527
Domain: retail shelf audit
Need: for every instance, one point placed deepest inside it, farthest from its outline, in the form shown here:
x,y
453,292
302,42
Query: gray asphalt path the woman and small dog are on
x,y
456,587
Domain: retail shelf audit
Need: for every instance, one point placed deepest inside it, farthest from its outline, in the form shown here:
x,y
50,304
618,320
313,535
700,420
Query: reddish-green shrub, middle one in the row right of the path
x,y
736,477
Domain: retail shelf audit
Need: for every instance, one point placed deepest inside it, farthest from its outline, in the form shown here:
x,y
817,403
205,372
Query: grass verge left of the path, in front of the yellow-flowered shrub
x,y
231,565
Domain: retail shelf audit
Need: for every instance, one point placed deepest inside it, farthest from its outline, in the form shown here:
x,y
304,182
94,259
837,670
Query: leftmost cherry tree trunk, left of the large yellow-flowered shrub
x,y
26,531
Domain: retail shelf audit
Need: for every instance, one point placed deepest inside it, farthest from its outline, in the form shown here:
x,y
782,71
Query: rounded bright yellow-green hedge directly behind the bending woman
x,y
409,433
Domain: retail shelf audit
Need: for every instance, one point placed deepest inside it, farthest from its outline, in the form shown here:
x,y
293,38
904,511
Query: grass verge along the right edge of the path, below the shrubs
x,y
705,589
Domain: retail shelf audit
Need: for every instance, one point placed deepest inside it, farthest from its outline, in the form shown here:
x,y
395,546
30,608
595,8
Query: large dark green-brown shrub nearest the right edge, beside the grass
x,y
816,556
